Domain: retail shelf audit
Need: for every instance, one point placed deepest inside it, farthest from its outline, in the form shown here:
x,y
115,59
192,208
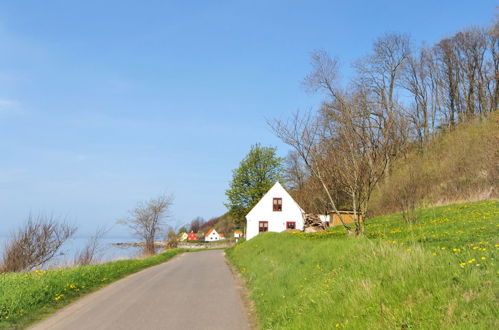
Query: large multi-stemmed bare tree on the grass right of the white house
x,y
349,145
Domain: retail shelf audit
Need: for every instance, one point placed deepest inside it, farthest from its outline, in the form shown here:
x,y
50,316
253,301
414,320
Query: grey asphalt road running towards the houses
x,y
192,291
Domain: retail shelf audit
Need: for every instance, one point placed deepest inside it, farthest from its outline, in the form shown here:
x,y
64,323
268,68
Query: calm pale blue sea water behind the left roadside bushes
x,y
107,252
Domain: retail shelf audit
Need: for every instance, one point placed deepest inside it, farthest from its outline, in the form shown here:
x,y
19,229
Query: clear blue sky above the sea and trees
x,y
107,103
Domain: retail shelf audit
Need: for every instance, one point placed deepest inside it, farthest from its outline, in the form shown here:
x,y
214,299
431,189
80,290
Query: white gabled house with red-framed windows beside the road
x,y
276,211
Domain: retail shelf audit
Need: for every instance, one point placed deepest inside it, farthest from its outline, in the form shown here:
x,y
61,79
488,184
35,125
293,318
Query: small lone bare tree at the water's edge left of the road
x,y
147,220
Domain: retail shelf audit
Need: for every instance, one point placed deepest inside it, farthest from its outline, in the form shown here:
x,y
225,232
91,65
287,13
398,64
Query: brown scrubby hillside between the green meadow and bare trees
x,y
461,165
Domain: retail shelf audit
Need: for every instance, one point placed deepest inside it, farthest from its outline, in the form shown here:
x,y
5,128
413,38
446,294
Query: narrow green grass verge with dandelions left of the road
x,y
27,297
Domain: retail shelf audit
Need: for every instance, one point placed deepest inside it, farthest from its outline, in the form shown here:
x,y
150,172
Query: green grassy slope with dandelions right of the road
x,y
438,273
